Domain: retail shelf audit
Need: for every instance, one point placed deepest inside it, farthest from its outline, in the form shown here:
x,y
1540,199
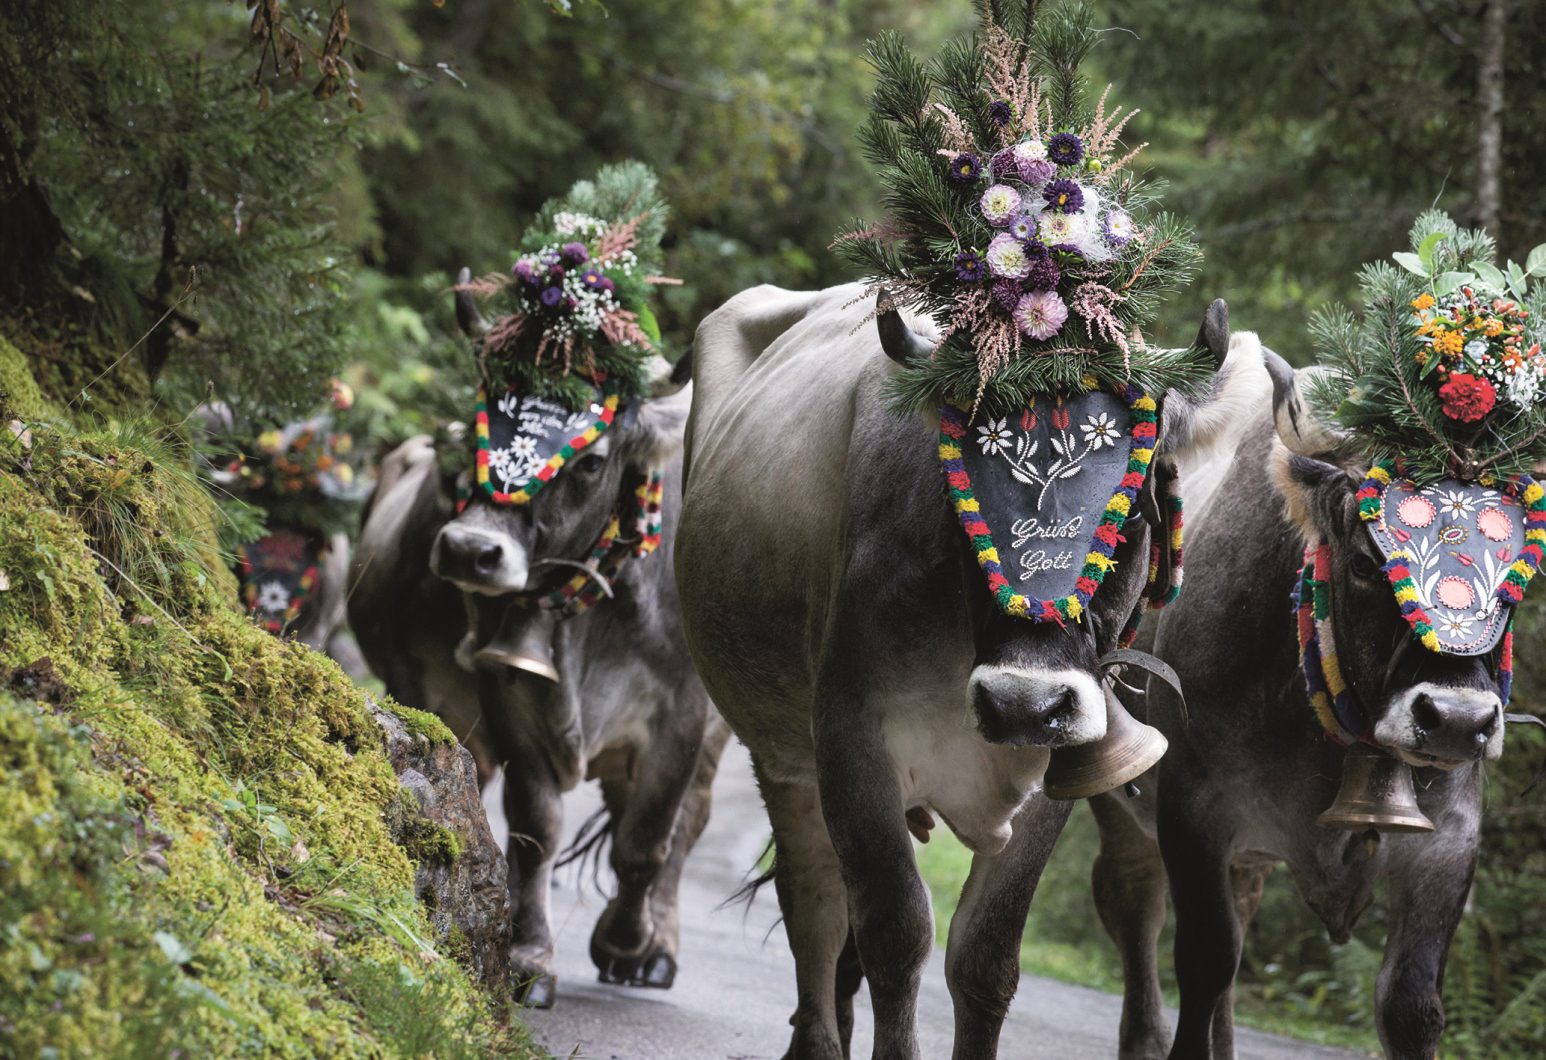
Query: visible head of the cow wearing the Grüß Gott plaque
x,y
1040,684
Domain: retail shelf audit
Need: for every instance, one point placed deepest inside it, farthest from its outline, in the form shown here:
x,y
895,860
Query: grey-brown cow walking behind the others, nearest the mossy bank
x,y
619,701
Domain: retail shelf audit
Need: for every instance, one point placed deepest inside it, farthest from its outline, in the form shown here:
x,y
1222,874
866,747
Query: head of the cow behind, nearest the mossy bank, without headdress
x,y
500,549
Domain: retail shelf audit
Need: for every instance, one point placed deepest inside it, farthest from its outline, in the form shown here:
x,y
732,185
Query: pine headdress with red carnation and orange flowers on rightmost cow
x,y
1445,369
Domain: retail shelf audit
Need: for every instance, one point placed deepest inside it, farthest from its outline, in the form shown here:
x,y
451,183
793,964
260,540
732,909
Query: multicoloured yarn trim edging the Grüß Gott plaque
x,y
1108,534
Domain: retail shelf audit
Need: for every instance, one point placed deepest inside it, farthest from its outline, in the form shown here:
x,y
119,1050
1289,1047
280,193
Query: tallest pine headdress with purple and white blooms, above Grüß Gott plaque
x,y
1015,222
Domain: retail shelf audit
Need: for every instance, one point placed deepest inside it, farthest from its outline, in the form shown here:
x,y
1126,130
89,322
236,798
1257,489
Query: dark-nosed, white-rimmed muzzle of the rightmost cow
x,y
1437,727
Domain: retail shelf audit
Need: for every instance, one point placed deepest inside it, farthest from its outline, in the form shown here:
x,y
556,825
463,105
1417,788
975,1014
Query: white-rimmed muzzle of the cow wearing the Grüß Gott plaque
x,y
1035,708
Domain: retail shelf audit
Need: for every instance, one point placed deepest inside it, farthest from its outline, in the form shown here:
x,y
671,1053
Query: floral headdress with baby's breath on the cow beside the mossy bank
x,y
574,305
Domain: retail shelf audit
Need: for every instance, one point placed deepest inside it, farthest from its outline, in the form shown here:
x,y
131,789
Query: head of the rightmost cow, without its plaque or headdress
x,y
1428,708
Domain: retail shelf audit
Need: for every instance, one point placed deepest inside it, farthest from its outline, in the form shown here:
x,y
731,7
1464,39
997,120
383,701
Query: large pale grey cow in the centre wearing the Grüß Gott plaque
x,y
846,634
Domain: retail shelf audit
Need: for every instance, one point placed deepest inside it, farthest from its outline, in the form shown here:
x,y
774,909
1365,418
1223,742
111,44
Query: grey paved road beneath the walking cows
x,y
737,985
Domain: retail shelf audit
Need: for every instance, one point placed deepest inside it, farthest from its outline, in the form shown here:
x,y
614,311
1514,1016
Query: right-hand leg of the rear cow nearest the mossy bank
x,y
624,945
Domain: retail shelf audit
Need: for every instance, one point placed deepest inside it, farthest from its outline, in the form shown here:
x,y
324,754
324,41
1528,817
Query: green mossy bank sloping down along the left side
x,y
194,841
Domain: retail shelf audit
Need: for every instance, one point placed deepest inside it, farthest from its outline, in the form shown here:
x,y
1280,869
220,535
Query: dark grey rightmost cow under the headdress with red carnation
x,y
1250,769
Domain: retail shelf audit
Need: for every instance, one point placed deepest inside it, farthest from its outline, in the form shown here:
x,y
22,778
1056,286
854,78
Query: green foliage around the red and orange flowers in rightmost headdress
x,y
1381,382
